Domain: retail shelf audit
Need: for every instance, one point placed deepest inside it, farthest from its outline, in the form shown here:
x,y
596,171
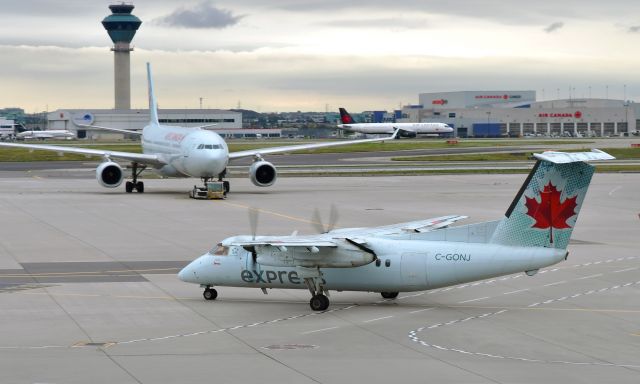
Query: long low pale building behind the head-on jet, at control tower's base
x,y
227,123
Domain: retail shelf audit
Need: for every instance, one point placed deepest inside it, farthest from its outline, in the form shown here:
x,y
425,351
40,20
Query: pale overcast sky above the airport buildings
x,y
287,55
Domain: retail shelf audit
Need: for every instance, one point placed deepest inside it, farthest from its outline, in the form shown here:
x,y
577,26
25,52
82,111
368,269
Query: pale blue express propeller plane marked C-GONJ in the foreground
x,y
534,233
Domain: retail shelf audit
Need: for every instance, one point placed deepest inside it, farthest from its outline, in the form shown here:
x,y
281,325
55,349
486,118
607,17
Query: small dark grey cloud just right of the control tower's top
x,y
201,15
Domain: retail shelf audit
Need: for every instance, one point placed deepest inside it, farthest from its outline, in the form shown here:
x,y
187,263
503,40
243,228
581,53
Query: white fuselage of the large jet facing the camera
x,y
189,152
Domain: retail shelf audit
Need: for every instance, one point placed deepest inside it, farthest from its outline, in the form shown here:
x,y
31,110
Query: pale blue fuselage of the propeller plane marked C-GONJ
x,y
404,265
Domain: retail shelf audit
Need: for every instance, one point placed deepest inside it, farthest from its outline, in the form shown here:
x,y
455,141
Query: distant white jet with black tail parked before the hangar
x,y
406,129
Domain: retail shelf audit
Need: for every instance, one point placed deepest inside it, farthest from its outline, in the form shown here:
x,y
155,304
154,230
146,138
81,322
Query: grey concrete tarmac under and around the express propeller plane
x,y
88,289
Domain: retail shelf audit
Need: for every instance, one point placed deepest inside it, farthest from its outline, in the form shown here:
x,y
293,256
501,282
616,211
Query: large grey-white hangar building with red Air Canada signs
x,y
517,113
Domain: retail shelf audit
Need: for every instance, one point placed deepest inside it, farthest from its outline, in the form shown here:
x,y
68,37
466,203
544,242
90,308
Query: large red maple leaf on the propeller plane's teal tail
x,y
550,212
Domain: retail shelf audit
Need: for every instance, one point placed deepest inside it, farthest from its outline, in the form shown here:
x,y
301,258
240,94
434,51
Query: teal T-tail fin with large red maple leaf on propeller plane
x,y
546,207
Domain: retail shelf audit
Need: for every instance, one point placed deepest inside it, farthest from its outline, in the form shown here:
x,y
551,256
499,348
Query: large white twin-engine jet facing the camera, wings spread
x,y
180,152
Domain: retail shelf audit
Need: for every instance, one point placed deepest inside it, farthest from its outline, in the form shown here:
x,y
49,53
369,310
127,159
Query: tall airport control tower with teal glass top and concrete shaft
x,y
122,26
